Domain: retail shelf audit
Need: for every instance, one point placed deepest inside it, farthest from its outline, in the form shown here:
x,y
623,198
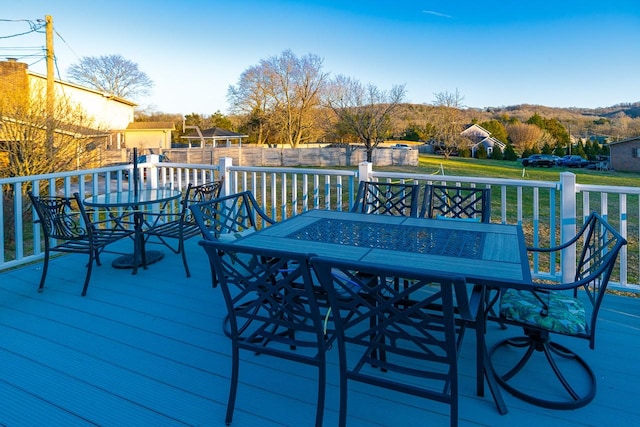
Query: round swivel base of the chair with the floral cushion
x,y
542,344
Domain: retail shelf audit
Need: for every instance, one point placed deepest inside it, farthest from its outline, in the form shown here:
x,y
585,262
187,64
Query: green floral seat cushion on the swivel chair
x,y
563,314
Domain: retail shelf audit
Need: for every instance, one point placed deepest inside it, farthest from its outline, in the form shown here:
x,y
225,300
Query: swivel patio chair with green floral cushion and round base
x,y
569,309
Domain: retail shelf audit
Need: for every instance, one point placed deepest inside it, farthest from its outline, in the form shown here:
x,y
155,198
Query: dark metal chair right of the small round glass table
x,y
182,226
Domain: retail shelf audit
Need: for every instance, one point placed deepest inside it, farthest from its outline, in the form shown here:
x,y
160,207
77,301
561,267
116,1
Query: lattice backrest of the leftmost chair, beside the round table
x,y
62,218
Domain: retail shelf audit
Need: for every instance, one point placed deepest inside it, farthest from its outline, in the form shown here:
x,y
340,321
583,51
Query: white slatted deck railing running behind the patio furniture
x,y
549,212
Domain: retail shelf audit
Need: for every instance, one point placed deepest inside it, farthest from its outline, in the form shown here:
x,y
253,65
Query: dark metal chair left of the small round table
x,y
67,227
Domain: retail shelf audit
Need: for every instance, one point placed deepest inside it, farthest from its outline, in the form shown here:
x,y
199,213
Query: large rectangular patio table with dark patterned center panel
x,y
486,254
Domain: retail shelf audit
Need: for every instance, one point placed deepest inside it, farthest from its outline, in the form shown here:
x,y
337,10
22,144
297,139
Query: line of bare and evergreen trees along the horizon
x,y
290,100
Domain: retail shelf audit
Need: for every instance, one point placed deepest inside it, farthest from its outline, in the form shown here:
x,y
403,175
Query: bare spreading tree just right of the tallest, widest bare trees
x,y
364,110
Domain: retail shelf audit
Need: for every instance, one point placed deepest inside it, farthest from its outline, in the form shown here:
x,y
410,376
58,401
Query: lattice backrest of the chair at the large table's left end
x,y
232,214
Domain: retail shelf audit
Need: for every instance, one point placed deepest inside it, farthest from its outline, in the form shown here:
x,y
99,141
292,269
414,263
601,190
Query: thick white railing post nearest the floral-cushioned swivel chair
x,y
568,224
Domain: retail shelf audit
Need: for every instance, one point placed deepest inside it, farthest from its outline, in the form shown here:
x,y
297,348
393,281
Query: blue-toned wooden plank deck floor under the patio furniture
x,y
149,350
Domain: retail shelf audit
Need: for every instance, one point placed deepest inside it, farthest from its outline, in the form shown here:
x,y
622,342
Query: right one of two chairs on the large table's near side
x,y
402,340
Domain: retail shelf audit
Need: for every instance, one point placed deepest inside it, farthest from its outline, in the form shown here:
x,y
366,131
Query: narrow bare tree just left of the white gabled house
x,y
449,121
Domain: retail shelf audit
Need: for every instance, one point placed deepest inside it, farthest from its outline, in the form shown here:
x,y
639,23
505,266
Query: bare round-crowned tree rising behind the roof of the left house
x,y
112,74
